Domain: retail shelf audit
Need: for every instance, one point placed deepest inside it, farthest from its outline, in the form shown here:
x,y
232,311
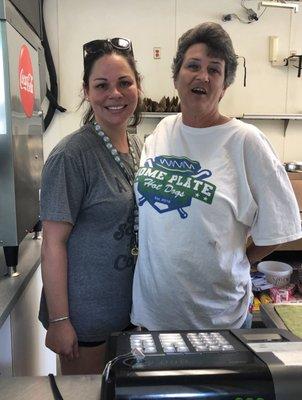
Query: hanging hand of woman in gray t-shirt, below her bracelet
x,y
62,339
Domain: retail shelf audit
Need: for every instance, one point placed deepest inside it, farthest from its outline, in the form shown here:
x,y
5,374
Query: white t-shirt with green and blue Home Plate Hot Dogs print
x,y
201,192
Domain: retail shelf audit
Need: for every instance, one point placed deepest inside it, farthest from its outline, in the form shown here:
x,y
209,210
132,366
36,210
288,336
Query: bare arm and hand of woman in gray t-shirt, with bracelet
x,y
61,337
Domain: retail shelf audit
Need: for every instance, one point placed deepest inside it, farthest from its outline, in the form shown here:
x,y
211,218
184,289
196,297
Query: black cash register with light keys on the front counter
x,y
242,364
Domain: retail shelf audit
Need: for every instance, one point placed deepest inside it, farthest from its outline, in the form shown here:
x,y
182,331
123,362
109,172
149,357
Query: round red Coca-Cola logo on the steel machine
x,y
26,81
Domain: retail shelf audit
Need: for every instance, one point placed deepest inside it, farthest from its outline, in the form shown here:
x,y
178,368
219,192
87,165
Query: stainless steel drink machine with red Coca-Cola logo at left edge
x,y
21,126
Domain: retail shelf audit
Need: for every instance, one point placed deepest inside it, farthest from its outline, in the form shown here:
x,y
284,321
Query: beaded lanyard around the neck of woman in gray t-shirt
x,y
130,179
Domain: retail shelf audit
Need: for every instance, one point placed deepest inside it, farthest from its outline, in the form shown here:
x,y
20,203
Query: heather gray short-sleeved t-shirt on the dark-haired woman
x,y
82,184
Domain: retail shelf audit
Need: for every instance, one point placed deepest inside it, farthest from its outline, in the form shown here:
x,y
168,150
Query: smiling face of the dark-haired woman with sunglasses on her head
x,y
112,91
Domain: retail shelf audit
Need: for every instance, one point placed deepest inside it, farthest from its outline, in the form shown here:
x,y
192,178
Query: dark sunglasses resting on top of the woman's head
x,y
96,46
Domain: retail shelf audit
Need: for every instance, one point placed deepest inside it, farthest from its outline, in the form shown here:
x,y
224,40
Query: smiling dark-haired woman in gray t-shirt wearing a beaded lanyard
x,y
88,212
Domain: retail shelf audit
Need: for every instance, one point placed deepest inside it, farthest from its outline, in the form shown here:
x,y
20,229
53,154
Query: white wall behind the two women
x,y
158,23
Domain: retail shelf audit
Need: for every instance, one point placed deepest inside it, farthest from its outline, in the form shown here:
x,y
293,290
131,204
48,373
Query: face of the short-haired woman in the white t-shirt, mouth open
x,y
200,81
